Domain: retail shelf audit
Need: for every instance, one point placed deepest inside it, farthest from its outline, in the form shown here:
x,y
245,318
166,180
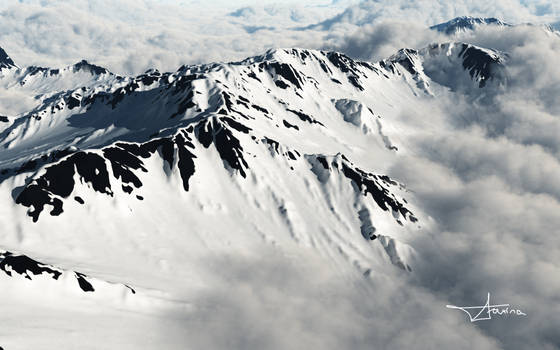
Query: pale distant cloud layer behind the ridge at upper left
x,y
129,37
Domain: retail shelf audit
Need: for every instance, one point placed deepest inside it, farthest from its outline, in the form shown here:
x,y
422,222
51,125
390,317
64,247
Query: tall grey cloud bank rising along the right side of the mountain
x,y
487,176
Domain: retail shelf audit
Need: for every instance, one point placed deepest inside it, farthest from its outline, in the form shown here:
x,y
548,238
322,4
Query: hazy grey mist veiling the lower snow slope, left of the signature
x,y
276,301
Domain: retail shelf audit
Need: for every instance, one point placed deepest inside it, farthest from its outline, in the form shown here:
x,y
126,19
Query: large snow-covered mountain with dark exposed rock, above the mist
x,y
123,184
